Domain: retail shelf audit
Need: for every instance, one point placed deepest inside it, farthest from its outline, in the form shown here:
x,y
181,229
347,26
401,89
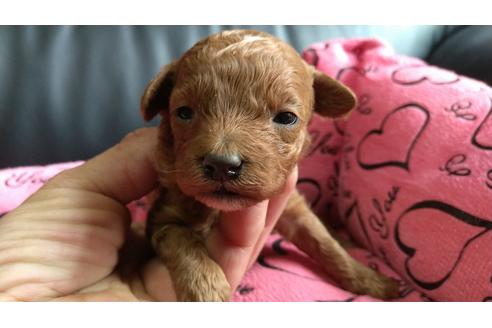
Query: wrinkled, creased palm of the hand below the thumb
x,y
64,241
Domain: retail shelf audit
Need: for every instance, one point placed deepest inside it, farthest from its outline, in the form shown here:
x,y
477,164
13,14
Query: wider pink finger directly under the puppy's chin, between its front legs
x,y
232,240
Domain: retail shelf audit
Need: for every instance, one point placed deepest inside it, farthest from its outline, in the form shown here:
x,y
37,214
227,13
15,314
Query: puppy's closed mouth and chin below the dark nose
x,y
226,199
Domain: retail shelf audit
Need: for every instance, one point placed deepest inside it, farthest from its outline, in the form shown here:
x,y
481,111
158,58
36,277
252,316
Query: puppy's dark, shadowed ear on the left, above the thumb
x,y
157,93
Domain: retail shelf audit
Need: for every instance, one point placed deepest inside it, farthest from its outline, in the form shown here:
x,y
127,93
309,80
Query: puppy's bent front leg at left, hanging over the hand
x,y
196,277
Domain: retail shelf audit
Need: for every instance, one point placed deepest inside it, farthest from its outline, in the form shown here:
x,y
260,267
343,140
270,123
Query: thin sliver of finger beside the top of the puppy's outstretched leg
x,y
275,208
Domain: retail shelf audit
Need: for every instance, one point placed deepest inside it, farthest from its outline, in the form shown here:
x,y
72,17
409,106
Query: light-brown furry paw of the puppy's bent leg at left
x,y
205,283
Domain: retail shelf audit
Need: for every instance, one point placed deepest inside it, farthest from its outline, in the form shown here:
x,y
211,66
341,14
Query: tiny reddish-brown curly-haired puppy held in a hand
x,y
234,111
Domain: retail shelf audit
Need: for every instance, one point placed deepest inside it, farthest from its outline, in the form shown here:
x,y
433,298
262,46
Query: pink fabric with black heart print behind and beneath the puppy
x,y
409,175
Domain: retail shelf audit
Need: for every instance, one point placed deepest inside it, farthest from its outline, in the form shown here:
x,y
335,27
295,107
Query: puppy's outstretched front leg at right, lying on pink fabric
x,y
301,226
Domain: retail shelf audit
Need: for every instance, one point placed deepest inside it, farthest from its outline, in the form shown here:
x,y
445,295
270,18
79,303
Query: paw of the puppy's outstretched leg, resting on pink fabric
x,y
366,281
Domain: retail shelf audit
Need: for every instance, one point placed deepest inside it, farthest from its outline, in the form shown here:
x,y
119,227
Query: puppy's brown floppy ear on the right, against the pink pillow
x,y
331,98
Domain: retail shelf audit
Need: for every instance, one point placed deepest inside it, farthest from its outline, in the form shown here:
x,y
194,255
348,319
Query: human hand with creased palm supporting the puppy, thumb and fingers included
x,y
63,242
